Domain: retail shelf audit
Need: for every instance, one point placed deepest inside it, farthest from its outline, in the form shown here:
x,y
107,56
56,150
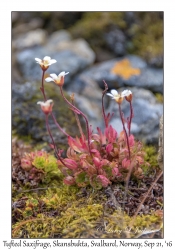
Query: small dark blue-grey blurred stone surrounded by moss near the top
x,y
116,39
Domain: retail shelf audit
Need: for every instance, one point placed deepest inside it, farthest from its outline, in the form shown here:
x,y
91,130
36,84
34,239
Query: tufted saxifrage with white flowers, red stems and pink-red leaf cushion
x,y
95,159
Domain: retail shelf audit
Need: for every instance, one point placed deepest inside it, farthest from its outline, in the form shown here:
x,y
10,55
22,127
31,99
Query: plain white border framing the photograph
x,y
5,93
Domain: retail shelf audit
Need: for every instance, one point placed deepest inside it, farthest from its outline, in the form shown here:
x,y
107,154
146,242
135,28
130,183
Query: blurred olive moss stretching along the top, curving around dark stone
x,y
144,34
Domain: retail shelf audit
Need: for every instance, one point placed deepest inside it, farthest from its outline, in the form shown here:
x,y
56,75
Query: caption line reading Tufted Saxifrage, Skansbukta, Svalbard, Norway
x,y
120,244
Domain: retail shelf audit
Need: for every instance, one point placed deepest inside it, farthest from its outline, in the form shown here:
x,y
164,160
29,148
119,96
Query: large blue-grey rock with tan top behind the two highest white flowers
x,y
72,56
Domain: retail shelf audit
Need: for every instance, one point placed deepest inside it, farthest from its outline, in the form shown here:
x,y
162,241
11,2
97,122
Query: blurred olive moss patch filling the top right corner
x,y
147,35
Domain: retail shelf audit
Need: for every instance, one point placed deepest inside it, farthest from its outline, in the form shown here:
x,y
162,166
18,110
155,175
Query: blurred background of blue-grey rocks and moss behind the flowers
x,y
123,48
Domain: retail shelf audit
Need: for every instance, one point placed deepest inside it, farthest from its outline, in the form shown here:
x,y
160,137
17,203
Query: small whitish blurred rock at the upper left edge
x,y
30,39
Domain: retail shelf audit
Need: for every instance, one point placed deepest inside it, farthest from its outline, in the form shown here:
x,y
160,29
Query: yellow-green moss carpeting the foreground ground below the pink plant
x,y
64,212
